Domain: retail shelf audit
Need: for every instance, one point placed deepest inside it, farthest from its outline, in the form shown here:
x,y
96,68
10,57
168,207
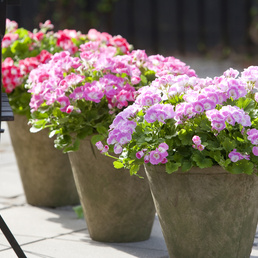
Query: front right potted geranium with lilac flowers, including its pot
x,y
197,139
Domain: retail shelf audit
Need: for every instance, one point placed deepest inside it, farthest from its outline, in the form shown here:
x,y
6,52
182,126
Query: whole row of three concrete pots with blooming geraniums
x,y
116,111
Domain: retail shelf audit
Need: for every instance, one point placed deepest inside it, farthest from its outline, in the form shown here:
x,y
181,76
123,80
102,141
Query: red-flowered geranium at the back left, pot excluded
x,y
23,50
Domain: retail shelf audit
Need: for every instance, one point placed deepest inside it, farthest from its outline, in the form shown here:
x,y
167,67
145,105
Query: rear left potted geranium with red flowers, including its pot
x,y
45,173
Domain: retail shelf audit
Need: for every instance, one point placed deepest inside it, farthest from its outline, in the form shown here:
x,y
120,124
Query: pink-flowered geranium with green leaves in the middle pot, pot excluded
x,y
79,96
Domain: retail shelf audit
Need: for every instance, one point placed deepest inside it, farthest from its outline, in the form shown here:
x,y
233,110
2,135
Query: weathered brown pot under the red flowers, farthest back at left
x,y
45,172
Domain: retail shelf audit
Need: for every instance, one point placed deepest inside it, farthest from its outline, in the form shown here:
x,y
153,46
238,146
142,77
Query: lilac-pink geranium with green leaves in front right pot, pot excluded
x,y
184,122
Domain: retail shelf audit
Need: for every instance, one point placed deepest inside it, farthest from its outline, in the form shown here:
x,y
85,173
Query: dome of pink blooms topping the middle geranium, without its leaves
x,y
114,79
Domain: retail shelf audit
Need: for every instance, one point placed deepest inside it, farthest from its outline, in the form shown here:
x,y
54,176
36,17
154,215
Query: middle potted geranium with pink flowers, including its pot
x,y
77,101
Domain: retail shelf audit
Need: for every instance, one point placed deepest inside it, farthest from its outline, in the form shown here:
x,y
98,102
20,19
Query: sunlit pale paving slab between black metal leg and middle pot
x,y
29,223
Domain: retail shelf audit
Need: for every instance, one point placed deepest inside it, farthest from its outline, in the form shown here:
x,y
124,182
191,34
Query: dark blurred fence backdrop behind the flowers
x,y
218,29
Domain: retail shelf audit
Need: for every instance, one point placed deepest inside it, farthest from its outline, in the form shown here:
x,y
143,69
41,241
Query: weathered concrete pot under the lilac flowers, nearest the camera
x,y
205,212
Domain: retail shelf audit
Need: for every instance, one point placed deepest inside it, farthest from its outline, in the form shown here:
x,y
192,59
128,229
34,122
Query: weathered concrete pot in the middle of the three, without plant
x,y
117,207
